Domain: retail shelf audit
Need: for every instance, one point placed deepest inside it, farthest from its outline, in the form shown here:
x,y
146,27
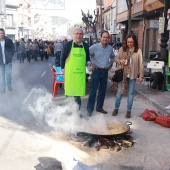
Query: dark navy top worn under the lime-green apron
x,y
66,51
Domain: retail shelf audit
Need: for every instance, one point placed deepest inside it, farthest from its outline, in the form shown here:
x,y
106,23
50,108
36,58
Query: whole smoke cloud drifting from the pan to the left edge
x,y
36,110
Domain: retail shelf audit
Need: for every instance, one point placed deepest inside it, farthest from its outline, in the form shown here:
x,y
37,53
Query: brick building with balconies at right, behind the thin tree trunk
x,y
144,23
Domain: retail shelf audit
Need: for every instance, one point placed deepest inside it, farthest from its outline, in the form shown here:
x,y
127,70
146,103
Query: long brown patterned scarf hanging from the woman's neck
x,y
126,55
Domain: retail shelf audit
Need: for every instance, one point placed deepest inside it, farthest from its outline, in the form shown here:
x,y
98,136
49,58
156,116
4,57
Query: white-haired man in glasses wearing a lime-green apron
x,y
74,56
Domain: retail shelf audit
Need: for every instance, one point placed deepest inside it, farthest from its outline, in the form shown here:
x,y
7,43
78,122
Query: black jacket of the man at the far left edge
x,y
9,51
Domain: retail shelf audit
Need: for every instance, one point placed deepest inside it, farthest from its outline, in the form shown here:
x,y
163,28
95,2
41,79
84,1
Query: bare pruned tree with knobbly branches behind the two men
x,y
90,23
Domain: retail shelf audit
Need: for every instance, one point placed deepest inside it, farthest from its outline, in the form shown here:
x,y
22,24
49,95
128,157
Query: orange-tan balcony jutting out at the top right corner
x,y
151,5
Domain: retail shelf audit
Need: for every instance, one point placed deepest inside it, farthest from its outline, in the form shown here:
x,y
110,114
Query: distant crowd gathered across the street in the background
x,y
32,49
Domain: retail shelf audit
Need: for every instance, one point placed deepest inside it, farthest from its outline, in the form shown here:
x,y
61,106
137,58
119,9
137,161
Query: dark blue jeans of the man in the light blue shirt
x,y
98,82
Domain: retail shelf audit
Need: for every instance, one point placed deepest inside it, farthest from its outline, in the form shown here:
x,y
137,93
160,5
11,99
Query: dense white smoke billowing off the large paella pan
x,y
64,116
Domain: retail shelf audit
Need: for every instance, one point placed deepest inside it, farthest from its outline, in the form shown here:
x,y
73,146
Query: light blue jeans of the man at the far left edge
x,y
5,75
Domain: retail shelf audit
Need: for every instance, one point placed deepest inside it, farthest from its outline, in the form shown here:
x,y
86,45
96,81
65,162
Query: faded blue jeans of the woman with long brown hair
x,y
130,95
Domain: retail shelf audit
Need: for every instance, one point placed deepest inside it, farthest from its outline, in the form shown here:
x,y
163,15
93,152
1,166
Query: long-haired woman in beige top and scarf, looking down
x,y
130,59
